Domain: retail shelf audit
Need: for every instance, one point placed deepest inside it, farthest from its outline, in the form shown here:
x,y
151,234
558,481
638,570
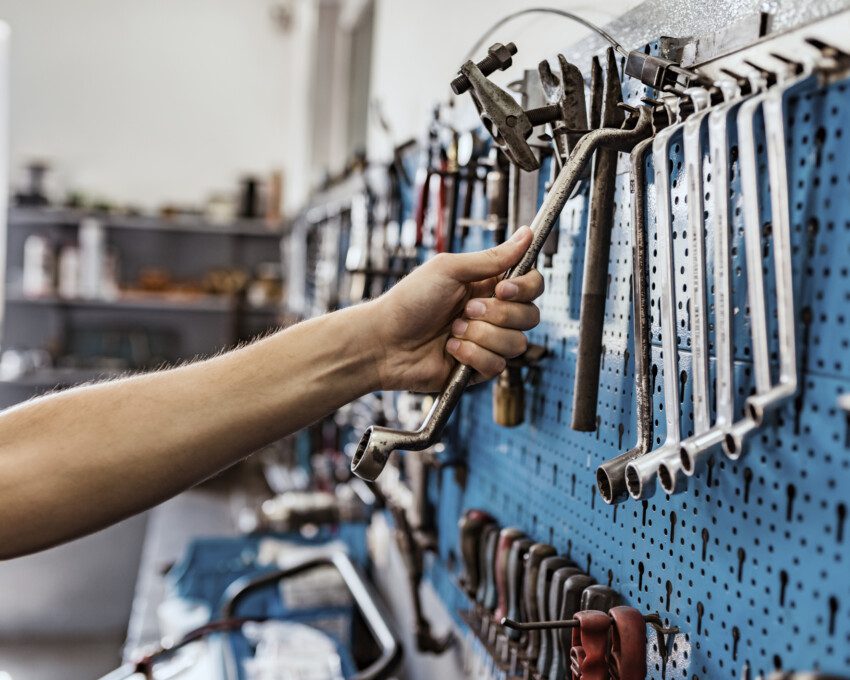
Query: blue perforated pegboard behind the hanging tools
x,y
756,549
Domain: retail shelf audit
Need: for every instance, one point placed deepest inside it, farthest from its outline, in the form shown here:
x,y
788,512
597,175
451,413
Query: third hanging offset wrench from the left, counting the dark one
x,y
670,473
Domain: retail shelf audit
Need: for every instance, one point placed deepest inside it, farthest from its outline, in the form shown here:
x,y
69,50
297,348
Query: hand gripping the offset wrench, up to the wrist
x,y
445,309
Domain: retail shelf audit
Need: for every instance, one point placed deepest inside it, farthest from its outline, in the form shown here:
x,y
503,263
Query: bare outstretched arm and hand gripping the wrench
x,y
76,461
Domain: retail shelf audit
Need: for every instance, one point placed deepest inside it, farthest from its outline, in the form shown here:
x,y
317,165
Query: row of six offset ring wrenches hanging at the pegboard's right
x,y
730,110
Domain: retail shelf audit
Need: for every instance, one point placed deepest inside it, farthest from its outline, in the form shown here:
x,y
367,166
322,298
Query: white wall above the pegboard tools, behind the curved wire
x,y
419,47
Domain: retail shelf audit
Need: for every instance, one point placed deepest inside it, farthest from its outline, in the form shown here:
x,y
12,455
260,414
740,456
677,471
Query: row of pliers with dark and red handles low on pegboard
x,y
535,614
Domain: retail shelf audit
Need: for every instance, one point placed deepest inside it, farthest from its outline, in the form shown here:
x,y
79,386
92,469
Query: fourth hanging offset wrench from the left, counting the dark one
x,y
695,449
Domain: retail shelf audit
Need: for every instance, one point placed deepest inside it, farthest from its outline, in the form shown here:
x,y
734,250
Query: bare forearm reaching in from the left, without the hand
x,y
78,460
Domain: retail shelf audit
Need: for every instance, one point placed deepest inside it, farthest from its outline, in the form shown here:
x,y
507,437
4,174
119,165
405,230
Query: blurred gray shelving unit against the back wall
x,y
178,328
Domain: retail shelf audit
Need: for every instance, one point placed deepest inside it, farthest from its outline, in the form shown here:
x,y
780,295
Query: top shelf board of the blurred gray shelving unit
x,y
28,217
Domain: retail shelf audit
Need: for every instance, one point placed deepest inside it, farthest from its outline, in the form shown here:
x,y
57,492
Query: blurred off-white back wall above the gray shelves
x,y
161,100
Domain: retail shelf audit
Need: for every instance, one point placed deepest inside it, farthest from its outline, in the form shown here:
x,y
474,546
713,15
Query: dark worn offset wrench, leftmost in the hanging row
x,y
611,475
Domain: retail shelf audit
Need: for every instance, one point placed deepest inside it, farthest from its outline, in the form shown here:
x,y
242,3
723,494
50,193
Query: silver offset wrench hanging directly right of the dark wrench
x,y
641,472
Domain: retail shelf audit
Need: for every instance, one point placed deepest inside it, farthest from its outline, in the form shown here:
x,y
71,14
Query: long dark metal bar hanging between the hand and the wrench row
x,y
597,250
